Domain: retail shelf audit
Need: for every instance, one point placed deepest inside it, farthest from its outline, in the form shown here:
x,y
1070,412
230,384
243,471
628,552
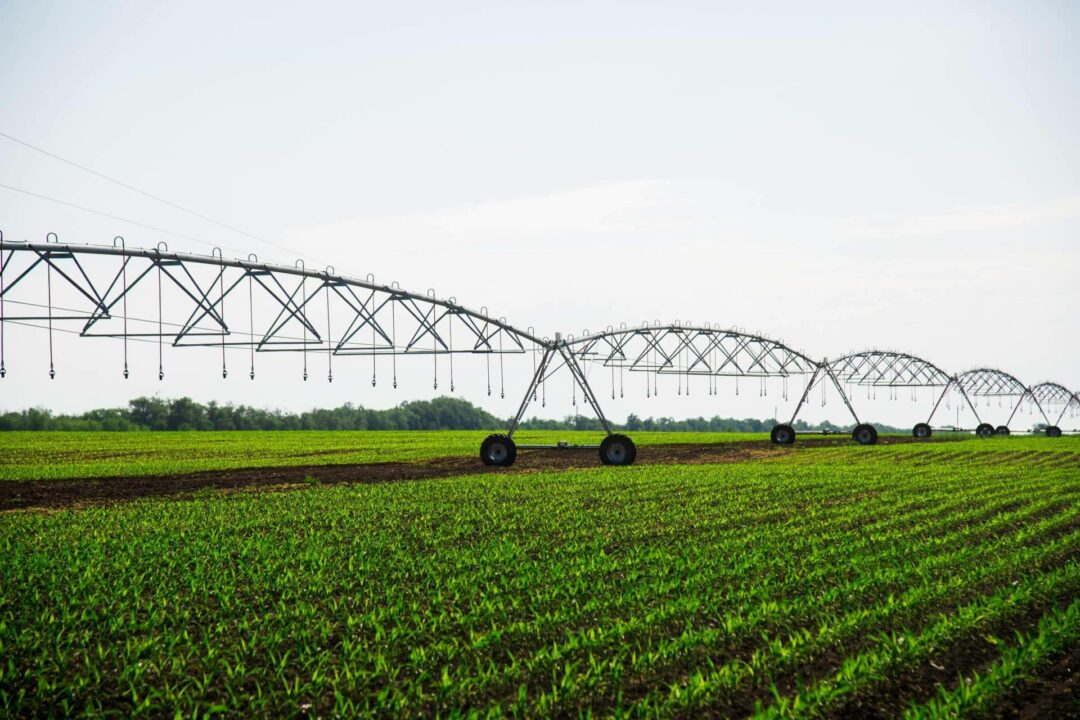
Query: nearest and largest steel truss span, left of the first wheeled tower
x,y
212,302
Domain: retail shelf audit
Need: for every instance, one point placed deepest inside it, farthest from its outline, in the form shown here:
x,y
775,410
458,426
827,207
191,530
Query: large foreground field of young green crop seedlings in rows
x,y
922,580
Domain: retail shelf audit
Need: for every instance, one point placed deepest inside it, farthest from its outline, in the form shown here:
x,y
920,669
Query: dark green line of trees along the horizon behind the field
x,y
183,414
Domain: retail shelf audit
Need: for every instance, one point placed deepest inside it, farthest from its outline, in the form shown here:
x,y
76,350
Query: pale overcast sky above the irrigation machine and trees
x,y
842,175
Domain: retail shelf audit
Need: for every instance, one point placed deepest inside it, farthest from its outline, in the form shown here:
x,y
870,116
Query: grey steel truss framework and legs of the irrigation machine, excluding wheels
x,y
660,349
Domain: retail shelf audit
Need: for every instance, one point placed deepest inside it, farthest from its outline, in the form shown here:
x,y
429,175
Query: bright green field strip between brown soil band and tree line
x,y
43,456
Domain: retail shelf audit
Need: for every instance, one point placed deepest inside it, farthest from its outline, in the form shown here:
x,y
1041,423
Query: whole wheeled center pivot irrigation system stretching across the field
x,y
156,296
